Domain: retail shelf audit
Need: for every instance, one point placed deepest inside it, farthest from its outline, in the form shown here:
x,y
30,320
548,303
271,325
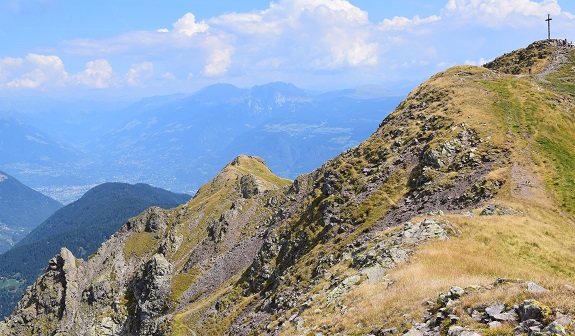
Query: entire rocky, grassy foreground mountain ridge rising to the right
x,y
466,182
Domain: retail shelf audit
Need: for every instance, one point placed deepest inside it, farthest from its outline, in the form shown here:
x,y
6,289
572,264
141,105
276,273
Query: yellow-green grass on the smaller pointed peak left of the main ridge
x,y
210,202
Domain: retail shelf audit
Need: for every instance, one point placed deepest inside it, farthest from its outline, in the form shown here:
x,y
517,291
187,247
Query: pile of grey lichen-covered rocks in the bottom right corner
x,y
527,317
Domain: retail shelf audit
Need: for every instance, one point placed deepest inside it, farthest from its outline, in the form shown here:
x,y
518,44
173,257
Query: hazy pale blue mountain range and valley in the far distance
x,y
178,141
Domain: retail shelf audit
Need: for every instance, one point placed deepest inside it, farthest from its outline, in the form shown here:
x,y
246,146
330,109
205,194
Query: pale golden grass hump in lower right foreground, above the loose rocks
x,y
534,248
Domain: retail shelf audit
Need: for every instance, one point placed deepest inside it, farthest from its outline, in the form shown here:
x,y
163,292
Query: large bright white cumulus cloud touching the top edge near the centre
x,y
305,34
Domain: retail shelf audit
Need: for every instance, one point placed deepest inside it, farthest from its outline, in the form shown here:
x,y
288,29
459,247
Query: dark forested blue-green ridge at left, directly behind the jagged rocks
x,y
81,227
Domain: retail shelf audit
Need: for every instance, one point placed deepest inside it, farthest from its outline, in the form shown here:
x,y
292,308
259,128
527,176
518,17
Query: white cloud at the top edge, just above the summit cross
x,y
497,13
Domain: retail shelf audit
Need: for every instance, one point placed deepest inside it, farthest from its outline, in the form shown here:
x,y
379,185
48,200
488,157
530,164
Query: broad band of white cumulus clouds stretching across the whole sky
x,y
290,39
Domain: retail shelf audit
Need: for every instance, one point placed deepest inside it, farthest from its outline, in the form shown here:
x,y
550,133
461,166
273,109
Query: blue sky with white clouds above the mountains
x,y
69,48
